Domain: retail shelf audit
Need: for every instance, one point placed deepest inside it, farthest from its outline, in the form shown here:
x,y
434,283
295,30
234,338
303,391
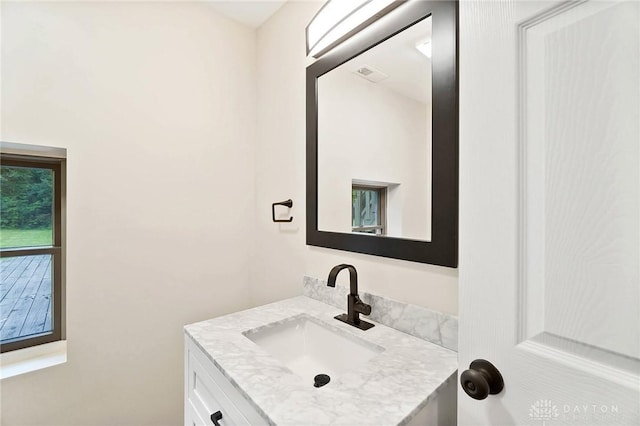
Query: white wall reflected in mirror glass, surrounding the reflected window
x,y
367,131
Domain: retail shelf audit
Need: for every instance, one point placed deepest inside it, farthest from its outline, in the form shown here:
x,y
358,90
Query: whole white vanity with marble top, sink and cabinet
x,y
230,369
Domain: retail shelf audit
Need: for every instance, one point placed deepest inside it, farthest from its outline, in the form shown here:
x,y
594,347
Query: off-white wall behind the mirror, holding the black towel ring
x,y
281,257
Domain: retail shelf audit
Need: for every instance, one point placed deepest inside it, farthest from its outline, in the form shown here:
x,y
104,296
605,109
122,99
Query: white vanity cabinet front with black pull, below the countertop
x,y
208,391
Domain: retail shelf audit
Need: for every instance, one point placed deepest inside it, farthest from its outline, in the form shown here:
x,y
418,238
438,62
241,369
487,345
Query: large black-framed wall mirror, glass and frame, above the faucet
x,y
382,138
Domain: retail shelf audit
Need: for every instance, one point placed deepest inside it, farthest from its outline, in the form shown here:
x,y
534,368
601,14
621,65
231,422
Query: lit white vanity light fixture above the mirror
x,y
338,20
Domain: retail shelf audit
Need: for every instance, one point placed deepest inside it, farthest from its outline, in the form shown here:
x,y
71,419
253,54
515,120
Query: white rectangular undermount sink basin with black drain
x,y
309,347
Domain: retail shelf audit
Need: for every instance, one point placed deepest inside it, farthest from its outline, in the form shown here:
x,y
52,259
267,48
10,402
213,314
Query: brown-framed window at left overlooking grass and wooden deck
x,y
31,246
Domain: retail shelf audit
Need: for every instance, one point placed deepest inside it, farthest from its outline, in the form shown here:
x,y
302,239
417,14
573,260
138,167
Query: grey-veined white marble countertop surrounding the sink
x,y
390,388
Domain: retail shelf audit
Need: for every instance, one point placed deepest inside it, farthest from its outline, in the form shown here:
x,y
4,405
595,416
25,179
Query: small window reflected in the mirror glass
x,y
368,209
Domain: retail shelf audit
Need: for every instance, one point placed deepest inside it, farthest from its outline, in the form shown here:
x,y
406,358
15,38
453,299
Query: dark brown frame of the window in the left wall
x,y
57,165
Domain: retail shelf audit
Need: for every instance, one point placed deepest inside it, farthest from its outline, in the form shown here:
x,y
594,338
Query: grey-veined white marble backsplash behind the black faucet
x,y
432,326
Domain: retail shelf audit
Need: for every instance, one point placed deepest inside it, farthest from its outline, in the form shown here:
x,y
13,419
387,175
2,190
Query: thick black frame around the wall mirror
x,y
443,248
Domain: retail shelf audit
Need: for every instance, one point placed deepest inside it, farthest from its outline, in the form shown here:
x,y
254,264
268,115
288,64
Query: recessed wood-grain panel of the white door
x,y
580,165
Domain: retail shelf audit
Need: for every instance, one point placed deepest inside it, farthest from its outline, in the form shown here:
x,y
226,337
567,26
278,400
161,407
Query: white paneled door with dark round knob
x,y
549,210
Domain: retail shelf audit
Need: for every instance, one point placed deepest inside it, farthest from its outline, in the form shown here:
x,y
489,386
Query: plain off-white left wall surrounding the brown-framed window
x,y
155,103
